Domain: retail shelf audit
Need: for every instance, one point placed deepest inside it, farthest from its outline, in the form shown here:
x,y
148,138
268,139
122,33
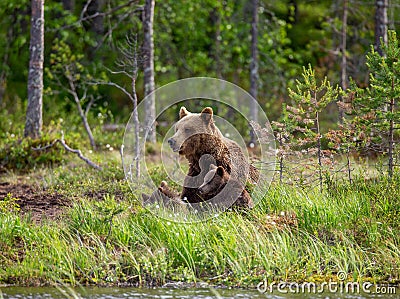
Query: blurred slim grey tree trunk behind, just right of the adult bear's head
x,y
254,68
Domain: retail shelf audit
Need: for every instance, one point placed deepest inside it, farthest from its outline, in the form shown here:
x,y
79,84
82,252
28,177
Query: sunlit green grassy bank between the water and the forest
x,y
104,237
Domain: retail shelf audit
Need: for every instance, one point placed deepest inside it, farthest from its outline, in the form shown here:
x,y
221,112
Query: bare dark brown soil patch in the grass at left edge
x,y
33,201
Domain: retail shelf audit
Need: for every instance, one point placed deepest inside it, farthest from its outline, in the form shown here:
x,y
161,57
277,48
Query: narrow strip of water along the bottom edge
x,y
167,293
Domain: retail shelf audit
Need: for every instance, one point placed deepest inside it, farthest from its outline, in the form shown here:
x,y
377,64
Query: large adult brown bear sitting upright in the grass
x,y
202,143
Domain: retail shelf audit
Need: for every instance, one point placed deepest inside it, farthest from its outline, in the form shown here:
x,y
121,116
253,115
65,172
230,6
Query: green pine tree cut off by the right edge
x,y
376,108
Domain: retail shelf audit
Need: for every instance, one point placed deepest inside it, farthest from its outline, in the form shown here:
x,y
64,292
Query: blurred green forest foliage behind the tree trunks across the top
x,y
291,34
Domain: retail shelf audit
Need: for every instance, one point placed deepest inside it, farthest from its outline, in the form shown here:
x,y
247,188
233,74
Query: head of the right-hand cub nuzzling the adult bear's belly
x,y
215,179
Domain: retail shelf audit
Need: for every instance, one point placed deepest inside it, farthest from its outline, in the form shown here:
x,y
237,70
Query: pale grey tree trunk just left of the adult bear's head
x,y
149,86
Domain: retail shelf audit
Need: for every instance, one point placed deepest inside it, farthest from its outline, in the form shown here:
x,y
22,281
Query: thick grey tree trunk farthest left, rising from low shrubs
x,y
33,124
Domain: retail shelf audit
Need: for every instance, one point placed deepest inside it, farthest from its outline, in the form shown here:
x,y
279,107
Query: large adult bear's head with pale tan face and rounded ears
x,y
190,125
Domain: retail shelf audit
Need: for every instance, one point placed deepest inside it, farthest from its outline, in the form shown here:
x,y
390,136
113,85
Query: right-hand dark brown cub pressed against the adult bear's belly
x,y
216,180
